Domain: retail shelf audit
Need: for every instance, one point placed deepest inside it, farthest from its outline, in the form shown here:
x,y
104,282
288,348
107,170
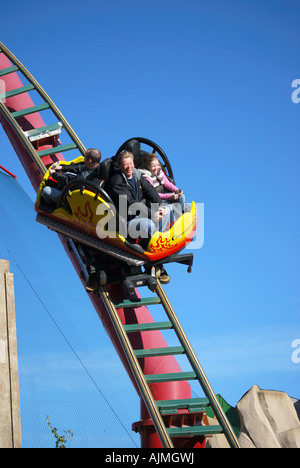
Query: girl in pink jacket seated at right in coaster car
x,y
167,191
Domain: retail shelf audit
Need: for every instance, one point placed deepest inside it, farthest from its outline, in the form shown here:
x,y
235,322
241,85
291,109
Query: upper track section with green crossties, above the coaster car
x,y
12,117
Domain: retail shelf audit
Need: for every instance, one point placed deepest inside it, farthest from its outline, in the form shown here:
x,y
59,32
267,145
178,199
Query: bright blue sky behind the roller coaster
x,y
210,82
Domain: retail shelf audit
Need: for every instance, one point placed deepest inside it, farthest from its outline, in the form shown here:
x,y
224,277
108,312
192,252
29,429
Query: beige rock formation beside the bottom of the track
x,y
269,419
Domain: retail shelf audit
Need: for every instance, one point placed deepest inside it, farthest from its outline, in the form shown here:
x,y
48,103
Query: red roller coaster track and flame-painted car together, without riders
x,y
170,417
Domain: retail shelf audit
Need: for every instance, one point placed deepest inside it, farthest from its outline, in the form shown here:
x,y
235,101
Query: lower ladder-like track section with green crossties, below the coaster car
x,y
159,408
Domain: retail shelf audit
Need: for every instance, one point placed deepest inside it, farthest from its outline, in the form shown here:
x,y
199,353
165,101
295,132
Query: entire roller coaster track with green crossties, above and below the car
x,y
37,145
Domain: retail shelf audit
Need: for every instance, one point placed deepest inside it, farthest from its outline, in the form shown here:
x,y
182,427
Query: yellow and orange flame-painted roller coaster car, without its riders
x,y
86,207
